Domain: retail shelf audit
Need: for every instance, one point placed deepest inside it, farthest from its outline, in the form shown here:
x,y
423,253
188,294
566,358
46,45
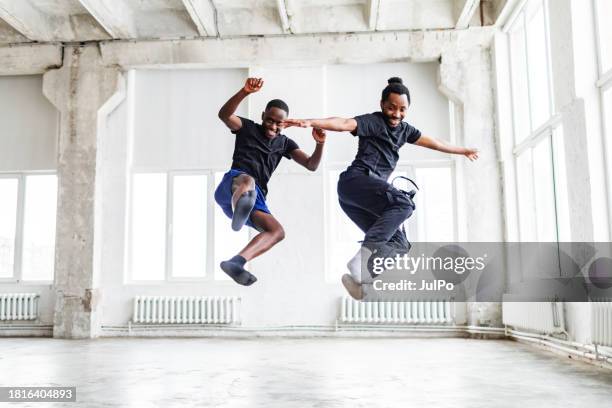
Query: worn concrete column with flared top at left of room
x,y
78,90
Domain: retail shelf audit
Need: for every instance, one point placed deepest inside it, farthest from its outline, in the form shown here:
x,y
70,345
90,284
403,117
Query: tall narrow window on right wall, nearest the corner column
x,y
538,136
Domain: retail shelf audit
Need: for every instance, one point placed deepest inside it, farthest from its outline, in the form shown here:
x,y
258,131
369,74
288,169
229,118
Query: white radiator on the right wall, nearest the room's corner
x,y
542,317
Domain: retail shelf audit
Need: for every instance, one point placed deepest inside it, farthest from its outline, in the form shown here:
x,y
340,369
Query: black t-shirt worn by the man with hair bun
x,y
379,143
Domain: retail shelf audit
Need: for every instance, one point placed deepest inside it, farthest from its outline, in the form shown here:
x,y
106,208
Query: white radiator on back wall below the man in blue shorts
x,y
186,310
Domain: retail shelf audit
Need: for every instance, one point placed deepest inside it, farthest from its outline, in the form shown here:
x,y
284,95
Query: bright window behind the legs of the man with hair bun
x,y
433,221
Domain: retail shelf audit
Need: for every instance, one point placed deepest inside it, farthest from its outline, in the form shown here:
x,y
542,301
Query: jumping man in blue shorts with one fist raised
x,y
257,152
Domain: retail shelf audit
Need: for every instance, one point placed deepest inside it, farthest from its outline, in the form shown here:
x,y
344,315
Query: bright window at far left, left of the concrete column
x,y
27,226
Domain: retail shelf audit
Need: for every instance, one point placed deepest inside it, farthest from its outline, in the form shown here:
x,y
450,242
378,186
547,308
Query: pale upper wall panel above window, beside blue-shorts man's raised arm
x,y
176,124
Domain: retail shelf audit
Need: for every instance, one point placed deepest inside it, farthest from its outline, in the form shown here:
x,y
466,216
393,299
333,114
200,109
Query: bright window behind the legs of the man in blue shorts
x,y
169,228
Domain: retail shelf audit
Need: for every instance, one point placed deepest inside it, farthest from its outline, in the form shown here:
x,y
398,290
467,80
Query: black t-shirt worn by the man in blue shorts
x,y
257,155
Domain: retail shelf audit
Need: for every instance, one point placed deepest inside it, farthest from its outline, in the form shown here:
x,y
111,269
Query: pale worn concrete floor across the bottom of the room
x,y
303,373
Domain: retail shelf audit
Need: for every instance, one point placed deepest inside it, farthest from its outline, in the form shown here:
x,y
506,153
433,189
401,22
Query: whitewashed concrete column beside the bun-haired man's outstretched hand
x,y
466,77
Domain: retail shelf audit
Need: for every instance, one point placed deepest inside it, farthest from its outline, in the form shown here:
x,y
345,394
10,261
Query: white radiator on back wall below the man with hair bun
x,y
413,312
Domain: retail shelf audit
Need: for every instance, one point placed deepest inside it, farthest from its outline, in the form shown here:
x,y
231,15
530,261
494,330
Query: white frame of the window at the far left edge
x,y
21,178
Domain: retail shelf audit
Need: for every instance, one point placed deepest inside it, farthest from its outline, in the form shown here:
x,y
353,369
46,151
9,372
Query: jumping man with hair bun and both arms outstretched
x,y
365,195
